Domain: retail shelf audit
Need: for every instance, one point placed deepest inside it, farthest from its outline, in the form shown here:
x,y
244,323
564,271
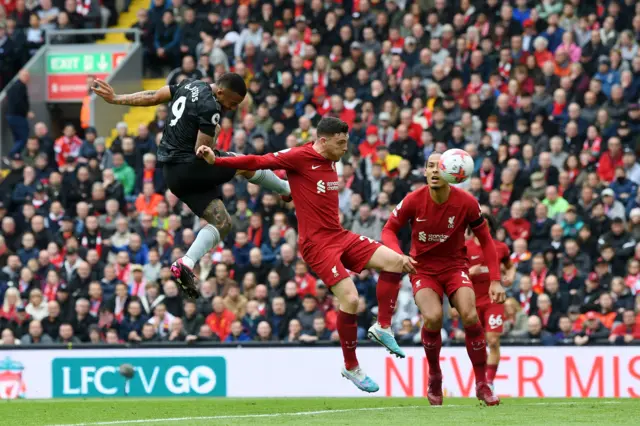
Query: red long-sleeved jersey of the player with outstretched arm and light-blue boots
x,y
314,187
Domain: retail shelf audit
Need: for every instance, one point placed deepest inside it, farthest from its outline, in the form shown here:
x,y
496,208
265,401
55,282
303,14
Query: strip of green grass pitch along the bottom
x,y
328,411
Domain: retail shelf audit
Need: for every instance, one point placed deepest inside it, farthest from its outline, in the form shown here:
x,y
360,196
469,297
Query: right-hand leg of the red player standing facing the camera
x,y
463,298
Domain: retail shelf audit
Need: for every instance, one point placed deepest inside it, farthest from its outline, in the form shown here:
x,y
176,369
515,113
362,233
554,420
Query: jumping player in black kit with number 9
x,y
194,117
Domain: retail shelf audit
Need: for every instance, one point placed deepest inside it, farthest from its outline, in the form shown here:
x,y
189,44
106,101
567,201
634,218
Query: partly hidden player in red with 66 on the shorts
x,y
491,314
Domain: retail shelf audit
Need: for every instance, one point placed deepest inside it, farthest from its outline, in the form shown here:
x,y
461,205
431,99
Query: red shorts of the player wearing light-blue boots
x,y
331,260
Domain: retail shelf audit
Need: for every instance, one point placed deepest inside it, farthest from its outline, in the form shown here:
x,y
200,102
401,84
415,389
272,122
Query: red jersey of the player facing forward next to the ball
x,y
437,230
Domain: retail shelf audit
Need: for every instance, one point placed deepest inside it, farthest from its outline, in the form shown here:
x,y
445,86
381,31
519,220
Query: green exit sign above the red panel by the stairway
x,y
83,63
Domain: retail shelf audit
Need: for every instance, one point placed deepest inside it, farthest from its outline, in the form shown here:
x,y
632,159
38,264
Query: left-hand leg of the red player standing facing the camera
x,y
428,297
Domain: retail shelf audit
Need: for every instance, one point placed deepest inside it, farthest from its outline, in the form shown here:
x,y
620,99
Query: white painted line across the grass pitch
x,y
308,413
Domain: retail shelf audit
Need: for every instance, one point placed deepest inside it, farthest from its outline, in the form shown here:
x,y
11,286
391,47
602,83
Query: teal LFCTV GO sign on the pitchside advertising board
x,y
156,377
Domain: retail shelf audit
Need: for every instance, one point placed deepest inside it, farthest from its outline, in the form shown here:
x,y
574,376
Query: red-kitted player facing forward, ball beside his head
x,y
439,215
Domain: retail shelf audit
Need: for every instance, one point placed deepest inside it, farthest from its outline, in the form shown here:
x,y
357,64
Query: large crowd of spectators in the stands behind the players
x,y
544,95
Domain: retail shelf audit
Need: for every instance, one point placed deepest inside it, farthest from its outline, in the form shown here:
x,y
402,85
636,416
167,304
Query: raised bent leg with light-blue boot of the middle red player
x,y
389,263
